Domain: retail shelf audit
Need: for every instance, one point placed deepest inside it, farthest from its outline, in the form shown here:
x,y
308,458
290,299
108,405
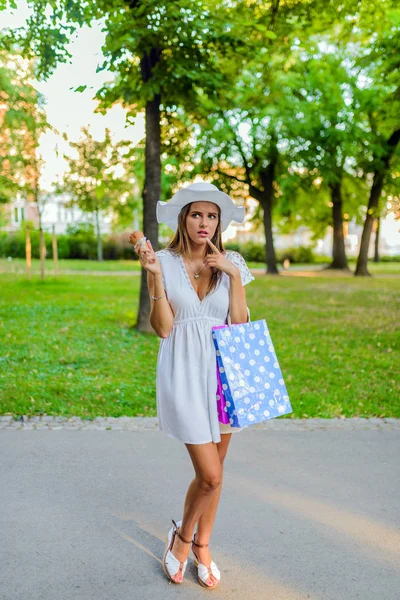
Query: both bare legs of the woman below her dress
x,y
202,498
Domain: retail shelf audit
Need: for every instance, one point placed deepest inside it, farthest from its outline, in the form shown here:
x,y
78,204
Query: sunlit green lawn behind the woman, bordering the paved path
x,y
68,346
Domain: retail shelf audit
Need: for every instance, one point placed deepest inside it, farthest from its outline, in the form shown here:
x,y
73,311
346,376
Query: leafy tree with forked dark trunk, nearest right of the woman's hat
x,y
248,136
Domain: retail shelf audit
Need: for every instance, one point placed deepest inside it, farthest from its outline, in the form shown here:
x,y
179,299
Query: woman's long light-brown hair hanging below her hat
x,y
180,243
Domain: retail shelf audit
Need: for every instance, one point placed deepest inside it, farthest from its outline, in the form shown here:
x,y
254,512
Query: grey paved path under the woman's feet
x,y
308,511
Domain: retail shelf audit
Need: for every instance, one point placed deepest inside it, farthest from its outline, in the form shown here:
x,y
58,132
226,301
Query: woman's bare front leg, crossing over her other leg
x,y
208,469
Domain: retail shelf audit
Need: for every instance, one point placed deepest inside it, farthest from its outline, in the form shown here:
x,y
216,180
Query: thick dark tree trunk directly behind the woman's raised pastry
x,y
151,195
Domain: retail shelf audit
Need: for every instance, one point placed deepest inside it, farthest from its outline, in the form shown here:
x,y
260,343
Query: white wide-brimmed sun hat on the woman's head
x,y
167,212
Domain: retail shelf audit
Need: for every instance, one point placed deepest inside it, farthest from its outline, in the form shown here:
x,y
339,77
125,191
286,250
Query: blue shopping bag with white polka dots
x,y
252,382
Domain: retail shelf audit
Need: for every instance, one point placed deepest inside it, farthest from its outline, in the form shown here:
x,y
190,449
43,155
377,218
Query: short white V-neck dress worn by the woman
x,y
186,378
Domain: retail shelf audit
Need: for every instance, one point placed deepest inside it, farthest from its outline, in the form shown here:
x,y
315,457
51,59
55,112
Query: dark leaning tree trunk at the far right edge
x,y
377,185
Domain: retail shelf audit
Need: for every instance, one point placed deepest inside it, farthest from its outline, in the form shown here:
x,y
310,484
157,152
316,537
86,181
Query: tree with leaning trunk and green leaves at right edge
x,y
379,97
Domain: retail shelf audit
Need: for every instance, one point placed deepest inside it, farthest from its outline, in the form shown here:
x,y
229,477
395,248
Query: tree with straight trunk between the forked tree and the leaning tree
x,y
326,141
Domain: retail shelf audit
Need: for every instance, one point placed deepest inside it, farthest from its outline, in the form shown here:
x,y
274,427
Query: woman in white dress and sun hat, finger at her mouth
x,y
194,284
